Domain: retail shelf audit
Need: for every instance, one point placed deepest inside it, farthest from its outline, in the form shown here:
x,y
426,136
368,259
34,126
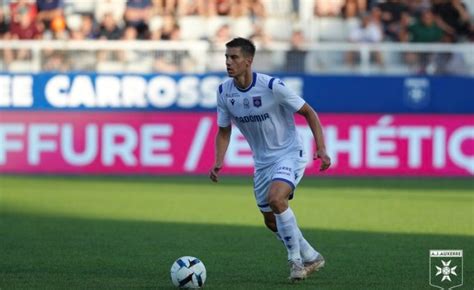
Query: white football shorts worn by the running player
x,y
289,169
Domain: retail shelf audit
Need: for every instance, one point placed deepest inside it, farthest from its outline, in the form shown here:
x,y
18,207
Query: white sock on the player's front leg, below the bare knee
x,y
289,232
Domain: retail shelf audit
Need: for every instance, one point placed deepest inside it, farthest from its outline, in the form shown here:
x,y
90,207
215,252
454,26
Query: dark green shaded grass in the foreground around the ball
x,y
46,252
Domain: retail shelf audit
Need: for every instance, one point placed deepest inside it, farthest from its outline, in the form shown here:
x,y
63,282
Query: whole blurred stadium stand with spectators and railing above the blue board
x,y
270,24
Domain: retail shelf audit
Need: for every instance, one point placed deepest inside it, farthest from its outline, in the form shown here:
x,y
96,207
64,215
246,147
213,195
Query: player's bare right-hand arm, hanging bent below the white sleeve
x,y
317,129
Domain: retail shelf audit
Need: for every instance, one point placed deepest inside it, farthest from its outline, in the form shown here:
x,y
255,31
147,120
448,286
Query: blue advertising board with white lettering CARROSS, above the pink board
x,y
164,92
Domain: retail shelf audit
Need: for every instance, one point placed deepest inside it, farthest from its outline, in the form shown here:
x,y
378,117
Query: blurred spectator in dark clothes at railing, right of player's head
x,y
295,57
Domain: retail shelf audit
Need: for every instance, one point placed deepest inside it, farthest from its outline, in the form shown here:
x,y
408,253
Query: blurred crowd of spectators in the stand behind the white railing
x,y
298,22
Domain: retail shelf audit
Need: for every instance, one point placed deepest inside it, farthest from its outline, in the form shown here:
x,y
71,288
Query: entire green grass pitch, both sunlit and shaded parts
x,y
125,232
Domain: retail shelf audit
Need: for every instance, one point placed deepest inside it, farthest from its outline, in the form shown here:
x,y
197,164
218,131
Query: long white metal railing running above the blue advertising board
x,y
202,57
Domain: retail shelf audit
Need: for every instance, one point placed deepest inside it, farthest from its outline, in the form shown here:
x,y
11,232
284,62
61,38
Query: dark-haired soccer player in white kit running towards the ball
x,y
263,108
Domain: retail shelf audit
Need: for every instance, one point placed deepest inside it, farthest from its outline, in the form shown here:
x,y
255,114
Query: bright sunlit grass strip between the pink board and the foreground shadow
x,y
398,206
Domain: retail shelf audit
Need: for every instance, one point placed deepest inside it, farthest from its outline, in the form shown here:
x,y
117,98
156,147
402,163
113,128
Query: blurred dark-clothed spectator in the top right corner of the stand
x,y
452,16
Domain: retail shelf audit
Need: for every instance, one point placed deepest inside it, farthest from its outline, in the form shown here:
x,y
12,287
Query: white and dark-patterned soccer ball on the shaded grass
x,y
188,272
